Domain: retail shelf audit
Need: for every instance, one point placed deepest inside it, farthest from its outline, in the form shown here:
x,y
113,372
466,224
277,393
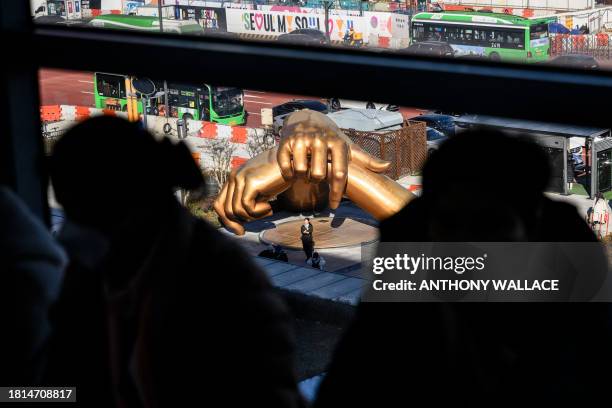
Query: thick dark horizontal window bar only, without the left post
x,y
409,80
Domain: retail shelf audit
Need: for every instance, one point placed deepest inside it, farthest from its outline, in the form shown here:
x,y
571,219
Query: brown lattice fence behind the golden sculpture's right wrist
x,y
405,148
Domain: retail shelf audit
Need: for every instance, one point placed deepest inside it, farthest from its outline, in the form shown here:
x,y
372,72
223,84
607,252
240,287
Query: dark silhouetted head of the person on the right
x,y
483,185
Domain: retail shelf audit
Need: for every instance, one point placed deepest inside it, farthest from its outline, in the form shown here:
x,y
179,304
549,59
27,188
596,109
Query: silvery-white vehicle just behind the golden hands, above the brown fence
x,y
367,120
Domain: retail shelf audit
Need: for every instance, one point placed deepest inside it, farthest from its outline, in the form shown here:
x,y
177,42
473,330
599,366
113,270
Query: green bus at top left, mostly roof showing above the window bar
x,y
145,23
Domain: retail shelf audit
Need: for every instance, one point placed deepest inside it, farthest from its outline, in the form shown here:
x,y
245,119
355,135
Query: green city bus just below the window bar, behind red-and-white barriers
x,y
222,105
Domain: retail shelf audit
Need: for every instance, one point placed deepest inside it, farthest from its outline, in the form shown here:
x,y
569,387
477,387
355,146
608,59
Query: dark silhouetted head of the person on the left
x,y
106,168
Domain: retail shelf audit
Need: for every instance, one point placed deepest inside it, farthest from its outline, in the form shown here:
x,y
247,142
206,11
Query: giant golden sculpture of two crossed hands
x,y
316,164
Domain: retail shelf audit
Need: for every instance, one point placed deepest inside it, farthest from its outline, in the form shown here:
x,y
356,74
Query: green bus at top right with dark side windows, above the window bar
x,y
495,36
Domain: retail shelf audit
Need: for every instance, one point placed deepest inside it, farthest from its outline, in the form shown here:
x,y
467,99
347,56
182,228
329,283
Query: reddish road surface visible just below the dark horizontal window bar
x,y
59,87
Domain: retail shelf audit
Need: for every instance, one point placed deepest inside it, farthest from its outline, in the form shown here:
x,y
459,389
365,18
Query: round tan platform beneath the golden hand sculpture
x,y
337,232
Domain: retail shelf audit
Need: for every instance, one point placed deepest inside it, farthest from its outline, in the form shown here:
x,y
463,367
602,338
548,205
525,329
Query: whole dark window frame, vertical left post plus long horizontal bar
x,y
409,80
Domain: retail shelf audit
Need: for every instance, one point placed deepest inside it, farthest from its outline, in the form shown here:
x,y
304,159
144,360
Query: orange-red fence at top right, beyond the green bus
x,y
597,45
